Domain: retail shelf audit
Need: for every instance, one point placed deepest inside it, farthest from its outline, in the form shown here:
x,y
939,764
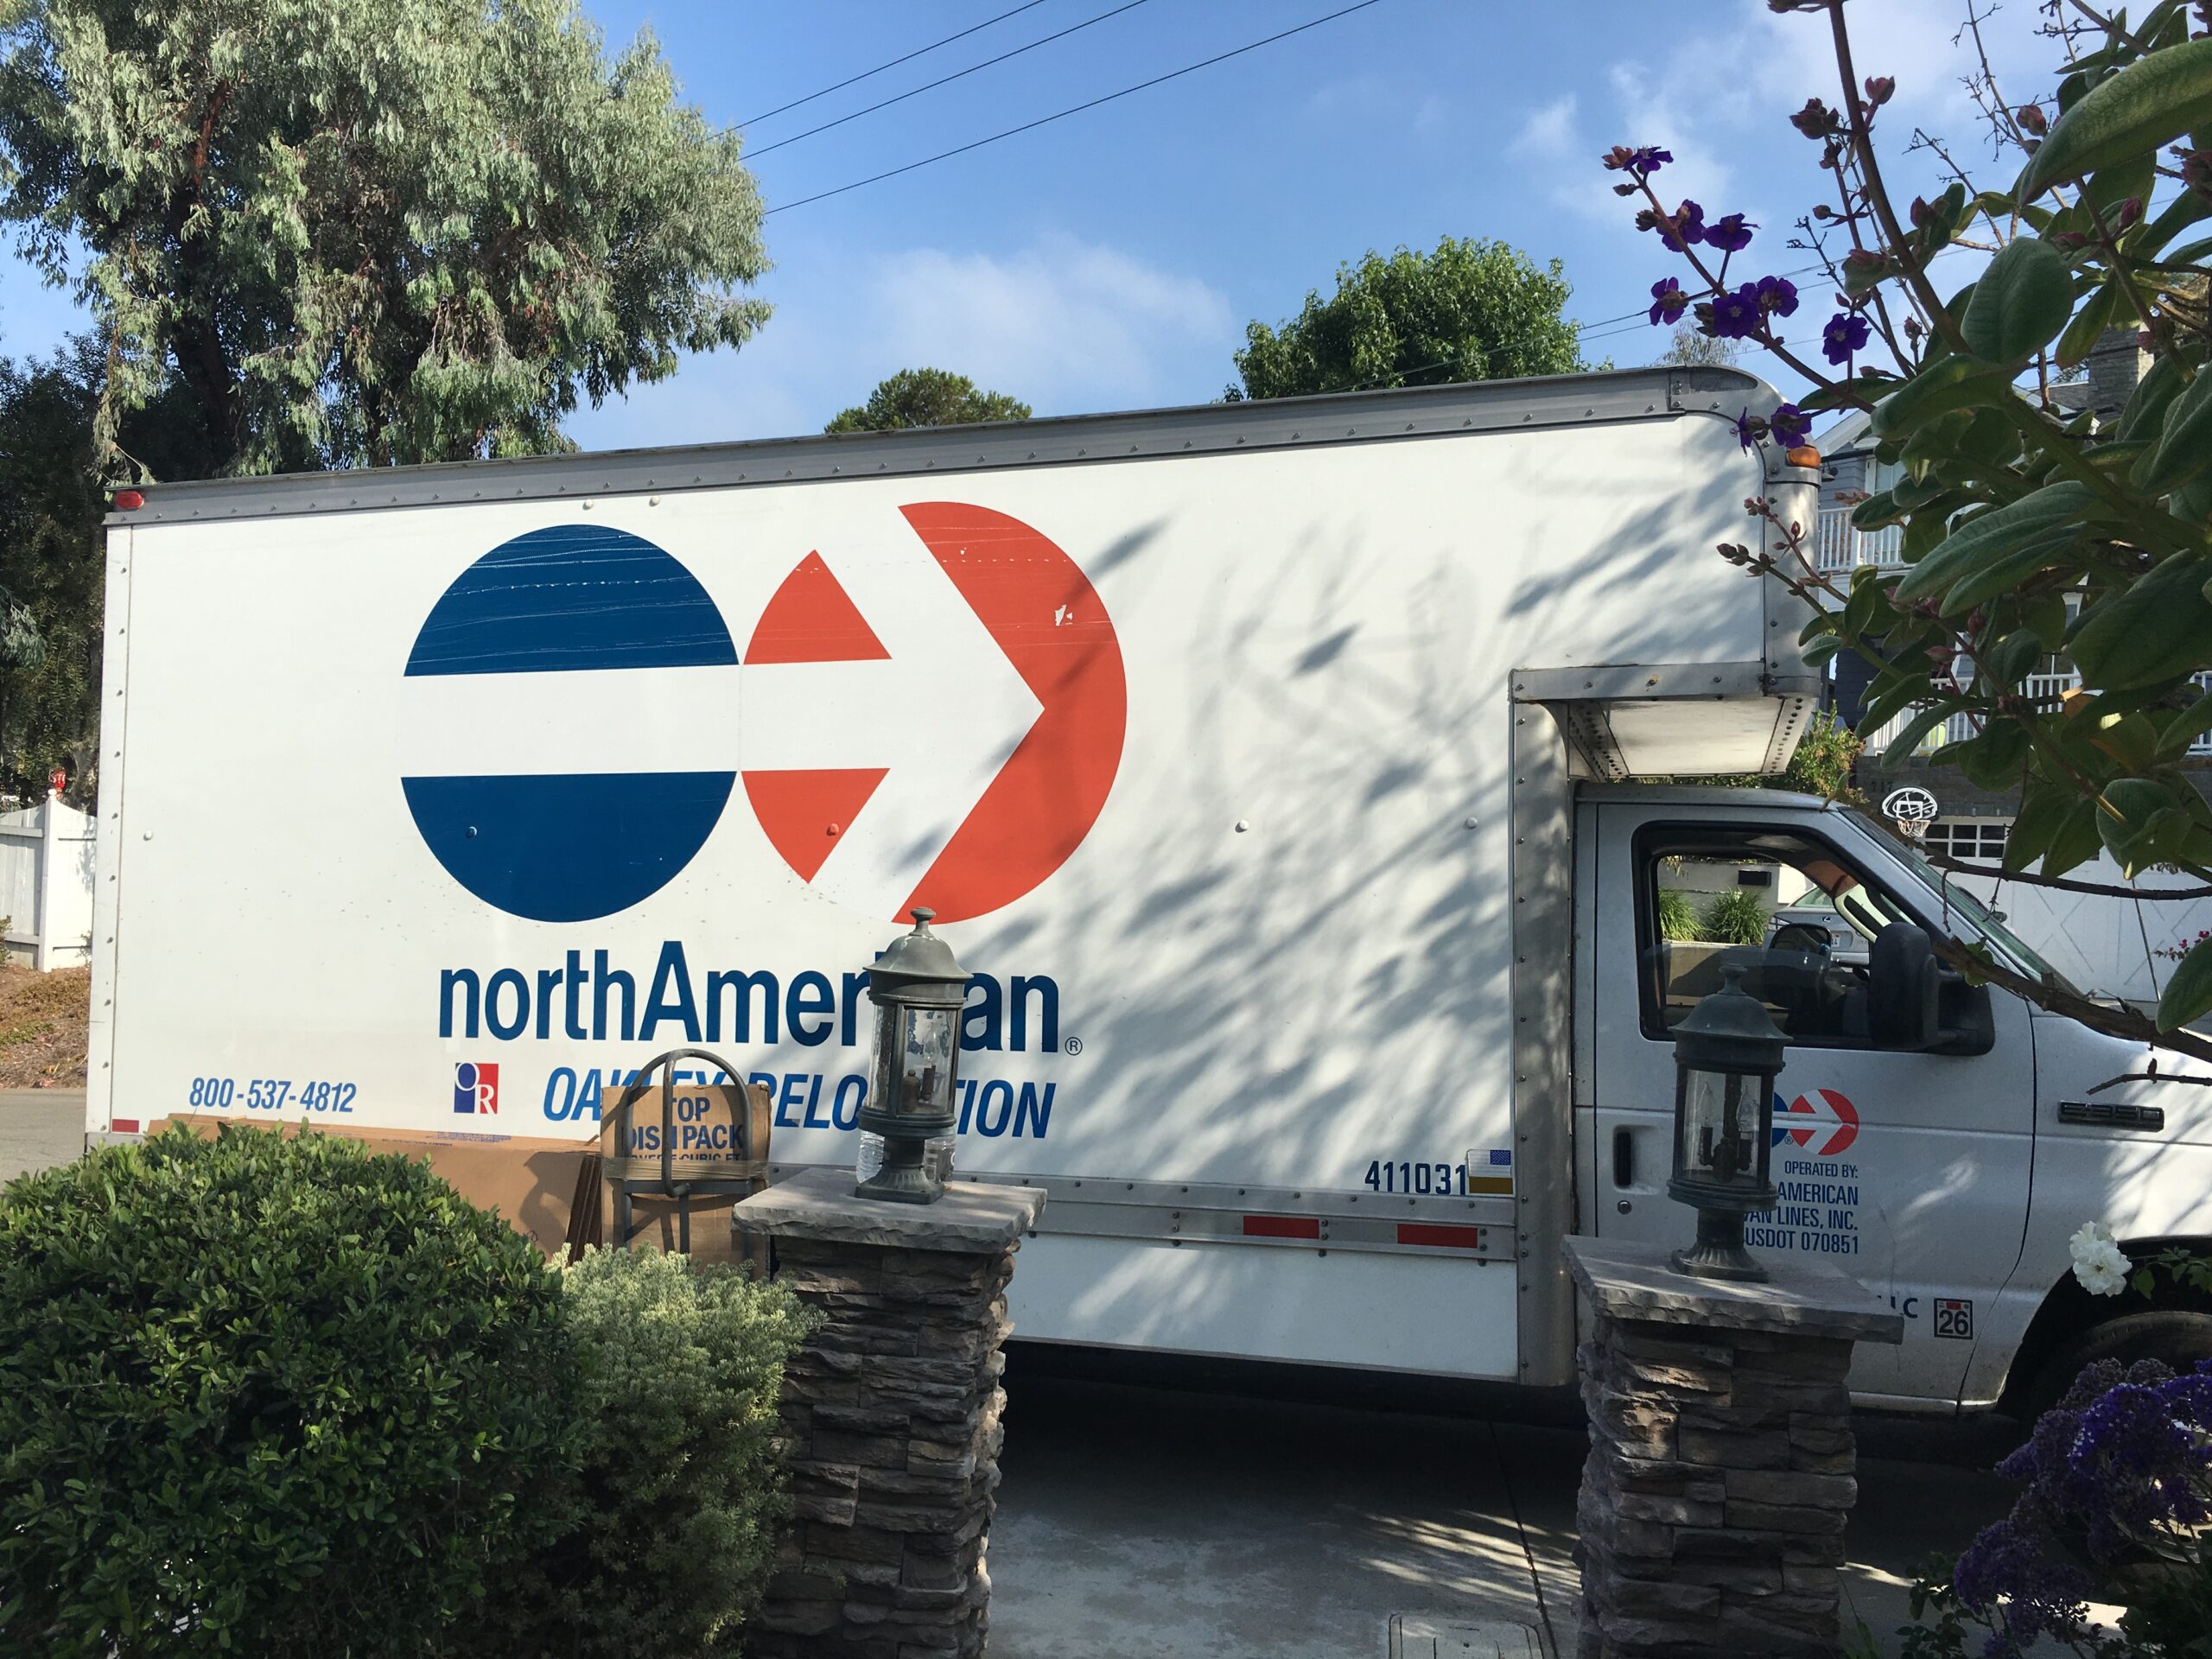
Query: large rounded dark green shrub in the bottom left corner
x,y
269,1397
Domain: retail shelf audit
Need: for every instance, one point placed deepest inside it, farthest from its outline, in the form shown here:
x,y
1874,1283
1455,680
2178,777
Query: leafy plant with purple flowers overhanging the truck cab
x,y
2027,528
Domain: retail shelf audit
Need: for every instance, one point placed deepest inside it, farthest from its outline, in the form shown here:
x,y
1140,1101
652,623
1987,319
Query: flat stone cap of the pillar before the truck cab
x,y
1802,1300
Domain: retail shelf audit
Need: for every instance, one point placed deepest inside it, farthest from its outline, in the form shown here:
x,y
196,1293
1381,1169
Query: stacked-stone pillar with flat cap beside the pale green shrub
x,y
893,1417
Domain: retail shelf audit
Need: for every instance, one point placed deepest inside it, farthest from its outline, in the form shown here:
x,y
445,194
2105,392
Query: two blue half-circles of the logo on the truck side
x,y
570,846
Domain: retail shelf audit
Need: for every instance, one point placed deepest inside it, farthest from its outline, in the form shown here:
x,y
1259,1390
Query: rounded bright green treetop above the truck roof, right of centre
x,y
1472,311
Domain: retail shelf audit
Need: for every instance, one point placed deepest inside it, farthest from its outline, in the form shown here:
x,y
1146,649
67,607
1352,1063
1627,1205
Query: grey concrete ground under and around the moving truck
x,y
1185,1514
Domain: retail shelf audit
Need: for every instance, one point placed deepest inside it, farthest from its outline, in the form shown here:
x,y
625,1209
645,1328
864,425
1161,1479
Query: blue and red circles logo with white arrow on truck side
x,y
932,716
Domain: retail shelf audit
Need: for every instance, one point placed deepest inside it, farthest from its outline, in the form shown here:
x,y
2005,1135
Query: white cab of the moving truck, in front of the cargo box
x,y
1934,1138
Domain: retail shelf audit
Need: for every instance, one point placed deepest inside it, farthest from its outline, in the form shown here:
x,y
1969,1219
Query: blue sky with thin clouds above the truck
x,y
1112,260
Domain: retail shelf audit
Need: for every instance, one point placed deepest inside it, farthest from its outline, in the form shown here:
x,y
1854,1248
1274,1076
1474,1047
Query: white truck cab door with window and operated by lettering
x,y
1908,1171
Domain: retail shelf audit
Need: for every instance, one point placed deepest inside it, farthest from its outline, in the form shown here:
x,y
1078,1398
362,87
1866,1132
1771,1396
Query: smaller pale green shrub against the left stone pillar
x,y
682,1370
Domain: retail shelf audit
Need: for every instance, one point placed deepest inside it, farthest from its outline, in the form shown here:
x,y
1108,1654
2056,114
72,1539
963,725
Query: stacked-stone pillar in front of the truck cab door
x,y
1722,1461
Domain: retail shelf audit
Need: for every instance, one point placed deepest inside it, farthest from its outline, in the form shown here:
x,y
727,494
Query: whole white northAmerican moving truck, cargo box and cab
x,y
1311,789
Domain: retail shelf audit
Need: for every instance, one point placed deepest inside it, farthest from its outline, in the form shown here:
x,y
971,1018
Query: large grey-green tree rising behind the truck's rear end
x,y
326,233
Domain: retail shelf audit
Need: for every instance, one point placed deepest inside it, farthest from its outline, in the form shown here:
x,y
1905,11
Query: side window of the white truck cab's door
x,y
1804,937
